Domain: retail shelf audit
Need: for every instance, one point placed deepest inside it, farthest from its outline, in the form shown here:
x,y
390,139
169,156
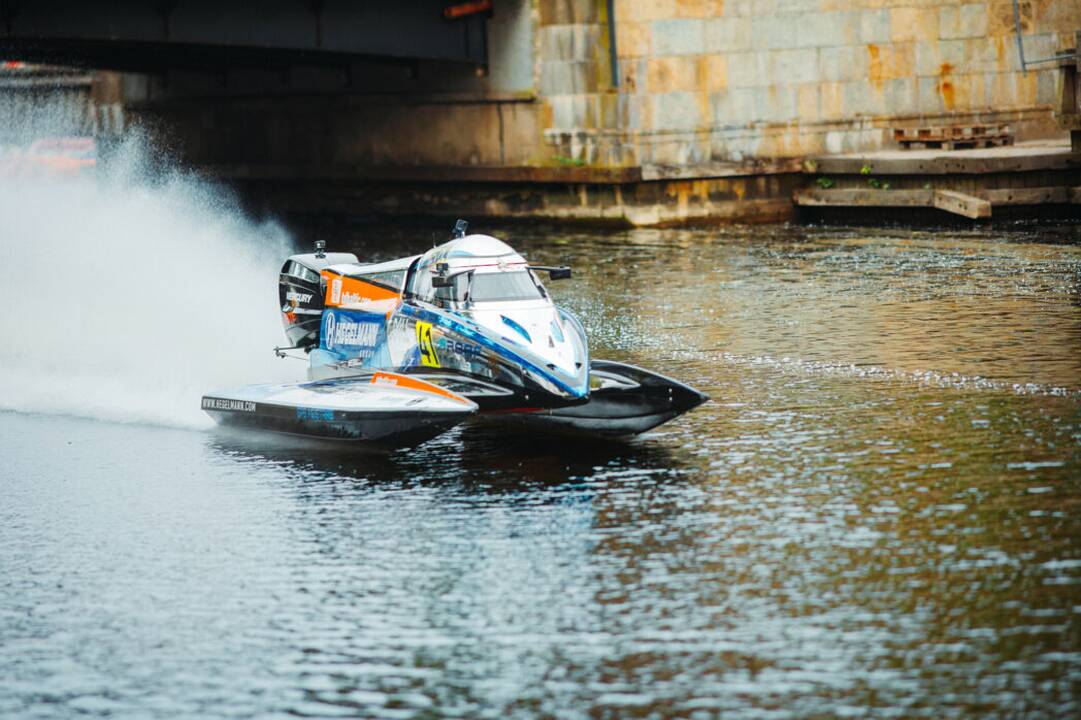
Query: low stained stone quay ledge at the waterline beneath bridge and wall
x,y
624,197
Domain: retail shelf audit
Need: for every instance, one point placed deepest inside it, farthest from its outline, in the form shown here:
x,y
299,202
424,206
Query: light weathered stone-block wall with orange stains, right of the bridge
x,y
728,81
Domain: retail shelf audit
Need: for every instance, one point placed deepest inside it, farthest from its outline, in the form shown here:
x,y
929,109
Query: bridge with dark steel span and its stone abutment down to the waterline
x,y
632,112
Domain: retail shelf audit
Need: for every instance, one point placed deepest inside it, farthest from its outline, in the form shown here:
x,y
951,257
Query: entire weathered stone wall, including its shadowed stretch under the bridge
x,y
696,84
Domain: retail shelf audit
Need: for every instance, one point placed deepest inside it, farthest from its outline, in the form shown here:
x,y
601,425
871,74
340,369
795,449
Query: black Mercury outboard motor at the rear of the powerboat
x,y
302,292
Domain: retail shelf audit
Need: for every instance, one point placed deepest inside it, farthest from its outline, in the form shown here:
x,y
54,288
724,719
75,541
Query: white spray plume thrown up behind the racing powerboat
x,y
131,292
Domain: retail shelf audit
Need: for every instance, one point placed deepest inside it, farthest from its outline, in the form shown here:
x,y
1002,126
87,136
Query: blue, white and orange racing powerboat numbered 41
x,y
403,351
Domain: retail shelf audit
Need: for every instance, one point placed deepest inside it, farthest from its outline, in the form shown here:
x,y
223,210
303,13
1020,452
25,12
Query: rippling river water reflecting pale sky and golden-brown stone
x,y
879,513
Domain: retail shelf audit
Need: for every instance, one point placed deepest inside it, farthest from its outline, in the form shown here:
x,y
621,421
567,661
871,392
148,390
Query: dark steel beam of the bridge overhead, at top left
x,y
153,36
